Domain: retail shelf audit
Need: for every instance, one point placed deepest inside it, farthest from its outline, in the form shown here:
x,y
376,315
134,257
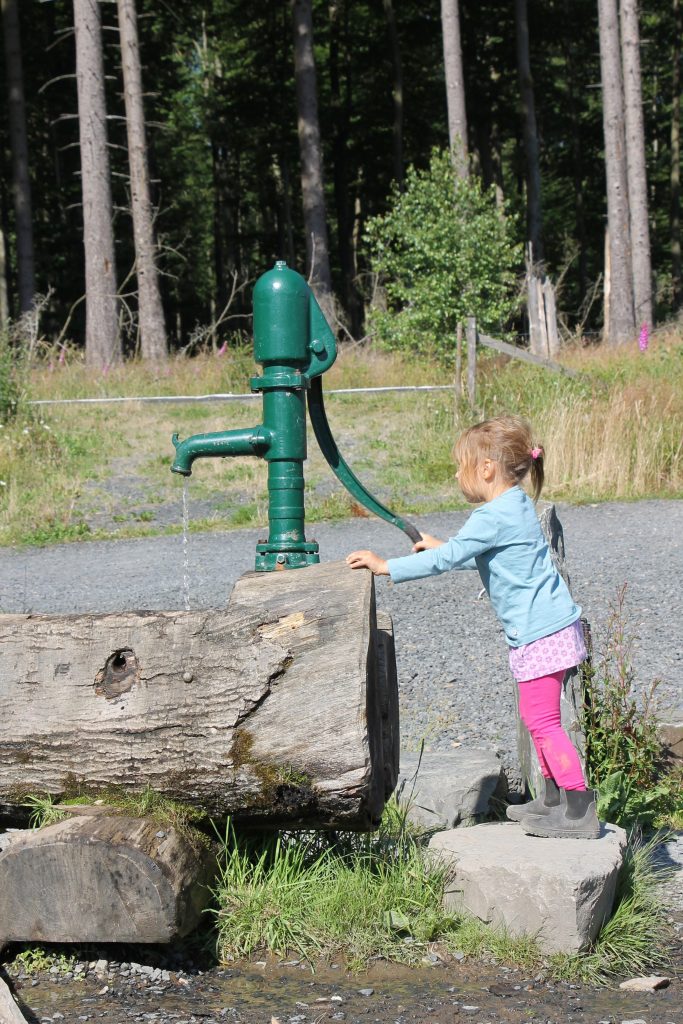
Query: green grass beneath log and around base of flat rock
x,y
381,897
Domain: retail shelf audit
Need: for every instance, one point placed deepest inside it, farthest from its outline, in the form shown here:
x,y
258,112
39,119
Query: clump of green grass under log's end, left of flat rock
x,y
356,895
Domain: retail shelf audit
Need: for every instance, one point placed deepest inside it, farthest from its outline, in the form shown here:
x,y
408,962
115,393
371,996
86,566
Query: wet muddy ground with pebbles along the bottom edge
x,y
291,994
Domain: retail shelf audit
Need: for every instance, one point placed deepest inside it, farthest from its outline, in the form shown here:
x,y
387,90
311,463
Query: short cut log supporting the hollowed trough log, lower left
x,y
102,879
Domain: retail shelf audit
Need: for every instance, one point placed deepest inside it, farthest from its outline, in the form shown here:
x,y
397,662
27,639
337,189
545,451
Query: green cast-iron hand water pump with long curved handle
x,y
295,346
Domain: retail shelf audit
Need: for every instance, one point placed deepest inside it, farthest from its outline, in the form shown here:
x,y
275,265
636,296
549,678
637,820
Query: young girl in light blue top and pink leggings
x,y
503,540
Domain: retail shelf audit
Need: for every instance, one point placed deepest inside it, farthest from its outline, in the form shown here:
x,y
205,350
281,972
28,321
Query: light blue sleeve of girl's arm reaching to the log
x,y
478,536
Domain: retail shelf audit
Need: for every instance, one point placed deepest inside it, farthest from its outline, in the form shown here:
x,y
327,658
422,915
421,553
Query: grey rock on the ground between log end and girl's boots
x,y
445,789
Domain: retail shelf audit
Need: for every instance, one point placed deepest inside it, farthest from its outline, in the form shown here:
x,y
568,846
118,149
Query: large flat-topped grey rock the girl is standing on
x,y
560,890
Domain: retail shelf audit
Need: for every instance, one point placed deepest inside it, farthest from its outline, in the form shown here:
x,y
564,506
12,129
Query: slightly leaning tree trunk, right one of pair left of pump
x,y
154,345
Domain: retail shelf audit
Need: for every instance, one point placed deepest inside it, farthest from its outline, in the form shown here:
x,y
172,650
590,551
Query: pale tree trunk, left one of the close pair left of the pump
x,y
103,343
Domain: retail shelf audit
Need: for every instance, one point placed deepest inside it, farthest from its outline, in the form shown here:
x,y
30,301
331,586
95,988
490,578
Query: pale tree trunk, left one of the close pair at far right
x,y
622,323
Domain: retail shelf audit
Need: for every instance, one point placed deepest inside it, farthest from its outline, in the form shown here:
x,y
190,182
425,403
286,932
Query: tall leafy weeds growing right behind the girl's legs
x,y
625,759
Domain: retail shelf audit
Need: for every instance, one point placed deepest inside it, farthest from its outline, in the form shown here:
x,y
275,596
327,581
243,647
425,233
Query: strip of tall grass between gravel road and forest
x,y
616,433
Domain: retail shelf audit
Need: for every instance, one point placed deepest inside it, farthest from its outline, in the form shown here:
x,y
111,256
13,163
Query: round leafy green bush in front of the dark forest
x,y
444,251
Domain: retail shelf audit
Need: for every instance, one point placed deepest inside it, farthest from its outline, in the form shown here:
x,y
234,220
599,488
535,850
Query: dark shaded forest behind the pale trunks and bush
x,y
222,108
